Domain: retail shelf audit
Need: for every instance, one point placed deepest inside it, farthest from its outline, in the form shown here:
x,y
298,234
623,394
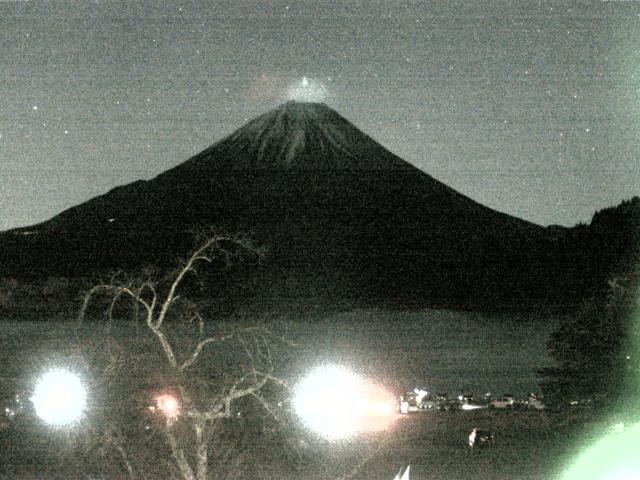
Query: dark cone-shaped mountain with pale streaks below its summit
x,y
339,214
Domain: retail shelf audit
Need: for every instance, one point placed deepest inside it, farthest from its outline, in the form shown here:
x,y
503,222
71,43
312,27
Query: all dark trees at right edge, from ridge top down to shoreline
x,y
597,353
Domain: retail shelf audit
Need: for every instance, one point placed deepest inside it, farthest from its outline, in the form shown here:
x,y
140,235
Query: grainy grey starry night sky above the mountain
x,y
528,107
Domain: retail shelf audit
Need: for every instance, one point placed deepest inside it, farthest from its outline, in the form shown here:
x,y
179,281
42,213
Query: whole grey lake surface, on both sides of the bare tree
x,y
441,350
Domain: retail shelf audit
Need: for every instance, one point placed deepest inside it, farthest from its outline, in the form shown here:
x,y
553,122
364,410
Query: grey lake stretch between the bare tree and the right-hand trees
x,y
443,351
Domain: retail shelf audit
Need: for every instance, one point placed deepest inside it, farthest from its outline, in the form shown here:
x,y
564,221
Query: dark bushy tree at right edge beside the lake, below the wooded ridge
x,y
597,352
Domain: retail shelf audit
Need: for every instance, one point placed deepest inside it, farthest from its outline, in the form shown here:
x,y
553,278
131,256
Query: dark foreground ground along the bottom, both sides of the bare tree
x,y
526,446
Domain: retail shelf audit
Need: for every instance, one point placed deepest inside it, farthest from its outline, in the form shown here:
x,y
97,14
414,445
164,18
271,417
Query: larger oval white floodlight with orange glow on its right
x,y
336,403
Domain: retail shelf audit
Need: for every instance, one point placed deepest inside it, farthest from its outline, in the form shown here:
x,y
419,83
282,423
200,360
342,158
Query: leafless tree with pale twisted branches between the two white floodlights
x,y
204,398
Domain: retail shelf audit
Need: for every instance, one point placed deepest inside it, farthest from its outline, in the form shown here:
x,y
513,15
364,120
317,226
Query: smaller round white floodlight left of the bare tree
x,y
59,397
